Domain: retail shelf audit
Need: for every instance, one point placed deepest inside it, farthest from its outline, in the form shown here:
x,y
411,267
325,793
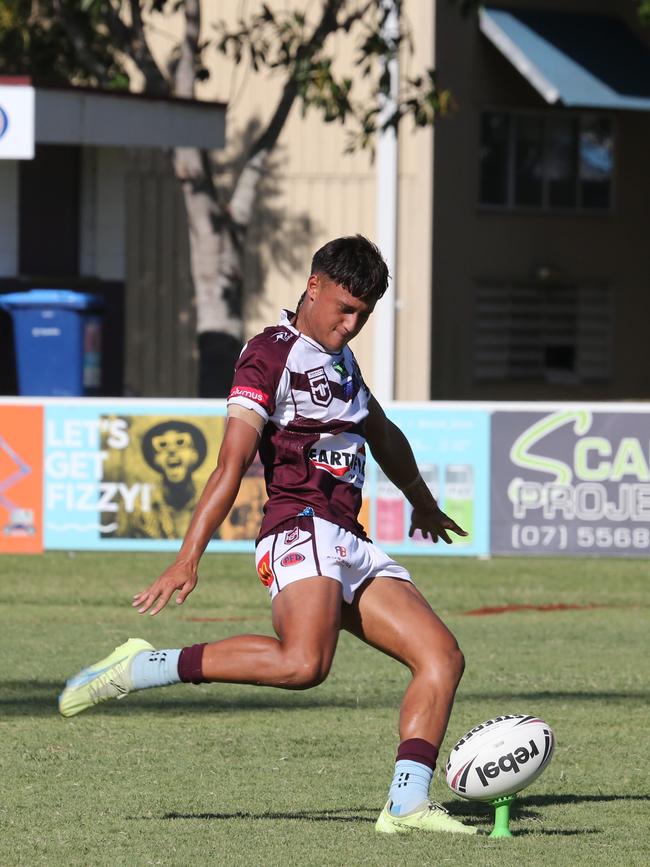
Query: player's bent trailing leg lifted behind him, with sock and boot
x,y
306,618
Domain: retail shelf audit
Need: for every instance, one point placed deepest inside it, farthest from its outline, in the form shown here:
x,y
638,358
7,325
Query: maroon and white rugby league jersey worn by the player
x,y
314,403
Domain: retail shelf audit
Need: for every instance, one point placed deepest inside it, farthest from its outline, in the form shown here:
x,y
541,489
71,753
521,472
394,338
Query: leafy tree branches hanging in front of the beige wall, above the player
x,y
283,40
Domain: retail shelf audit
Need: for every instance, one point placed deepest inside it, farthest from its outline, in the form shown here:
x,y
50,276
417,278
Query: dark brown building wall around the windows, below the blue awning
x,y
471,245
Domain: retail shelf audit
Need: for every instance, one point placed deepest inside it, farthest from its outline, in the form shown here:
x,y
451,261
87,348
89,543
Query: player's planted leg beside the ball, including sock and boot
x,y
394,617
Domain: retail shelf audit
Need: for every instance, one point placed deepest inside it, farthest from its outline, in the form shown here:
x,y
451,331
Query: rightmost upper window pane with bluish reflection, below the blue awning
x,y
596,162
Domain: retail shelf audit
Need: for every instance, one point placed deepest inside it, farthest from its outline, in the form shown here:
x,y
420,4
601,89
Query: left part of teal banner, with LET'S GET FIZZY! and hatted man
x,y
121,480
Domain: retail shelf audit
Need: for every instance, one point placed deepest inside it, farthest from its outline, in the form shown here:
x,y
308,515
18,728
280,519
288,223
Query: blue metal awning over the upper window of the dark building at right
x,y
573,59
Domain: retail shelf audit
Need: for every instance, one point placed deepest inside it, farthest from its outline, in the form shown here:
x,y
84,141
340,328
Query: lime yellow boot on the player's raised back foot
x,y
108,678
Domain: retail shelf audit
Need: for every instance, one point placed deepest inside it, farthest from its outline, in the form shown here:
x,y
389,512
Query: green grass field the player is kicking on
x,y
234,775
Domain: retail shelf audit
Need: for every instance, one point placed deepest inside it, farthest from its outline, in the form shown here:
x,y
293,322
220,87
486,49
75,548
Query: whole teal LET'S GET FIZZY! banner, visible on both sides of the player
x,y
126,475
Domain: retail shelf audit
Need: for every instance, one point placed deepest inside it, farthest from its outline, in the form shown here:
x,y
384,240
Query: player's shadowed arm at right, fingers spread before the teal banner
x,y
393,453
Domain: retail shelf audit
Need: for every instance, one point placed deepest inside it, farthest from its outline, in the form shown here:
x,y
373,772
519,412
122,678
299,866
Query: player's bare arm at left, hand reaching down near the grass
x,y
236,455
